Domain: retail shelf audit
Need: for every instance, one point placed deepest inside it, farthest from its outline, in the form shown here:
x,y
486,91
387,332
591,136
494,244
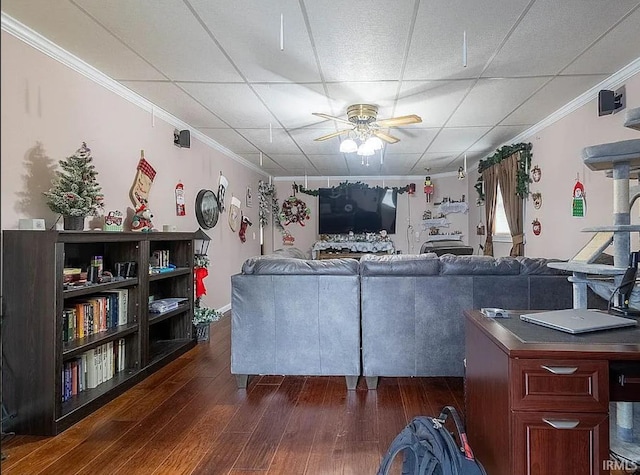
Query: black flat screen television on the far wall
x,y
361,210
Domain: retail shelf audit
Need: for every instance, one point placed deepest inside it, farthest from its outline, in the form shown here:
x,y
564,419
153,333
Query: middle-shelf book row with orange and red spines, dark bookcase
x,y
98,313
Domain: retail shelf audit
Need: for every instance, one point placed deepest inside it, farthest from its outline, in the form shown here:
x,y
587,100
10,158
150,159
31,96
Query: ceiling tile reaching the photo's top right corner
x,y
561,27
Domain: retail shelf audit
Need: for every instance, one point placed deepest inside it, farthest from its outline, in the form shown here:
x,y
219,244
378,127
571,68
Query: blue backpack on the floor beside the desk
x,y
429,448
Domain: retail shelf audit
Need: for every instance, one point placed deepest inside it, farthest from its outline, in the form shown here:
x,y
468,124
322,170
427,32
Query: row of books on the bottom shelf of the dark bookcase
x,y
93,368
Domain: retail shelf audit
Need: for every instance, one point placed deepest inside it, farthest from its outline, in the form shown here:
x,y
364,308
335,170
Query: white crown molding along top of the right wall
x,y
611,82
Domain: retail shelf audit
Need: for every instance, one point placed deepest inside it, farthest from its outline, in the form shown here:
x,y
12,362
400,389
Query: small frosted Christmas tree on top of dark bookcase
x,y
75,190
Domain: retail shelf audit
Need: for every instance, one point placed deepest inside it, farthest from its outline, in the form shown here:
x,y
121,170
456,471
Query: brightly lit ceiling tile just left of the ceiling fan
x,y
293,104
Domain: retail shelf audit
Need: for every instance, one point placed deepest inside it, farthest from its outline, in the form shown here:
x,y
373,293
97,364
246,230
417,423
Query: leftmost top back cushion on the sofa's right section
x,y
401,264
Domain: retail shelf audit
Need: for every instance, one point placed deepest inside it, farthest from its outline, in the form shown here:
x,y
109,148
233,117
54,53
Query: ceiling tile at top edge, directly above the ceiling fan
x,y
360,40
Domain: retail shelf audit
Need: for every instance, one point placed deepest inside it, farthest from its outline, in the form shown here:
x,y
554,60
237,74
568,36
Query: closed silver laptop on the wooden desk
x,y
579,320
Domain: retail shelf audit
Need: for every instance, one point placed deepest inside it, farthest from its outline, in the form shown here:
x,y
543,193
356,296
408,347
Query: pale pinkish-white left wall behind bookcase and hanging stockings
x,y
48,110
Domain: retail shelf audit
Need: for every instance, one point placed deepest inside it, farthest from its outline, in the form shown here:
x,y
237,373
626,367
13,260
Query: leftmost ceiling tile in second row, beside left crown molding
x,y
170,97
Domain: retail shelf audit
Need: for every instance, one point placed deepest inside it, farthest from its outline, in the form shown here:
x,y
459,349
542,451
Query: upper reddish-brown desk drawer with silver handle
x,y
557,385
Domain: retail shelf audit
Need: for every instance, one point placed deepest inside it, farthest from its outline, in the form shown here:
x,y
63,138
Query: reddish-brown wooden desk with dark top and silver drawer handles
x,y
521,382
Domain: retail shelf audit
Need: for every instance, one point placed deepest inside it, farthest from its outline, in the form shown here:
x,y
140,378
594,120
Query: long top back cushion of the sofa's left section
x,y
274,265
